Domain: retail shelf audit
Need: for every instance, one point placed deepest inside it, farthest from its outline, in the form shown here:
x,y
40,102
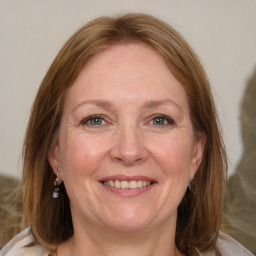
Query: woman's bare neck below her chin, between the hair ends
x,y
93,241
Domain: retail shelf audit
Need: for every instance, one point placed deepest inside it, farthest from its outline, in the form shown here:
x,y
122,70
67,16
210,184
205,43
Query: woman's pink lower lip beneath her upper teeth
x,y
129,192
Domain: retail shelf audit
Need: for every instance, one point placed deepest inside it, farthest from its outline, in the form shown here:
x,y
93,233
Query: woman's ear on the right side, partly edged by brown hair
x,y
197,153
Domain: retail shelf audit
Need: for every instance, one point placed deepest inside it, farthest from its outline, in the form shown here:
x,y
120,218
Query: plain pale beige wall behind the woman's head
x,y
222,32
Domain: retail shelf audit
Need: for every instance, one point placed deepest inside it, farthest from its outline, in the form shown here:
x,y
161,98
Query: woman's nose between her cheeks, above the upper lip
x,y
129,148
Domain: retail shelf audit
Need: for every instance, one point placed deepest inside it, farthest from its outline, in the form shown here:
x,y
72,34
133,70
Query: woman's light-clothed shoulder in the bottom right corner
x,y
227,246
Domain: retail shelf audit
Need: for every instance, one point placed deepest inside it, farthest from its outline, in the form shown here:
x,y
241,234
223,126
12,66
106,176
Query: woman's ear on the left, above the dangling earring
x,y
54,160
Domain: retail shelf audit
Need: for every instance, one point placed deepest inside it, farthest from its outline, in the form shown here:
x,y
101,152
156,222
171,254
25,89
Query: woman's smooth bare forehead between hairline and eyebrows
x,y
127,71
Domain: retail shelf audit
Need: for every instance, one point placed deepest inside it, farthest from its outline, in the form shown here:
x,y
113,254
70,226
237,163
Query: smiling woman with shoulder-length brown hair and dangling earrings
x,y
122,154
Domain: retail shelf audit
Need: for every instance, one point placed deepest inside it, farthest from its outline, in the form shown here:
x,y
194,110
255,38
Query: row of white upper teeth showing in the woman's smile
x,y
123,184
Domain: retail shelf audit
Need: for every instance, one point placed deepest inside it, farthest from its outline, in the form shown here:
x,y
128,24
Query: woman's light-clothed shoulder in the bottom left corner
x,y
18,246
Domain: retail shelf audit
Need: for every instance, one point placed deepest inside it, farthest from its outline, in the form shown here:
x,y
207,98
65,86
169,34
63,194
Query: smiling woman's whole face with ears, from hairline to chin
x,y
126,148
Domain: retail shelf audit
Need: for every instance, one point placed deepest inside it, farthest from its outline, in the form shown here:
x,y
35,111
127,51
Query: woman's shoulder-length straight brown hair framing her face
x,y
199,213
